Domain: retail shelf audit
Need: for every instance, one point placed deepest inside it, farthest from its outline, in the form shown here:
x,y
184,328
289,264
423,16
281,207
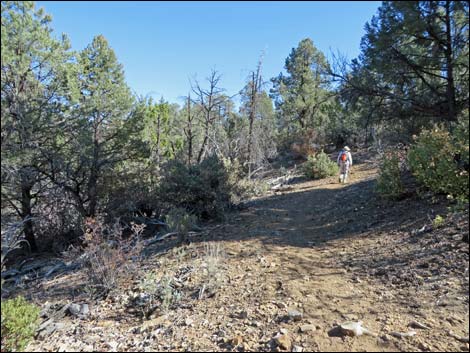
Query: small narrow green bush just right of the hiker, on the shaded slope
x,y
389,183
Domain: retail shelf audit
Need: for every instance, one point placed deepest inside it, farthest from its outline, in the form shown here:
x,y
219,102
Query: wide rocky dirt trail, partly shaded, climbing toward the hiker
x,y
319,267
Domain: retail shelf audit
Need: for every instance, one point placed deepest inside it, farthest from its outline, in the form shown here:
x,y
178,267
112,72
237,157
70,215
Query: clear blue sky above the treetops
x,y
163,44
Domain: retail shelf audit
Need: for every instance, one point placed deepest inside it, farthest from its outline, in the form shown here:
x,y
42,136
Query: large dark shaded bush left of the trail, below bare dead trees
x,y
201,189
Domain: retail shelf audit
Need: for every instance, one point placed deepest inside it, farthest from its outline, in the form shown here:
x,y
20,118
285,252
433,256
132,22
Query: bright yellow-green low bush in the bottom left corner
x,y
19,323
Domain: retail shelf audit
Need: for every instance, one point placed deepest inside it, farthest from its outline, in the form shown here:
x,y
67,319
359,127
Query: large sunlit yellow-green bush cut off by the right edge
x,y
439,160
